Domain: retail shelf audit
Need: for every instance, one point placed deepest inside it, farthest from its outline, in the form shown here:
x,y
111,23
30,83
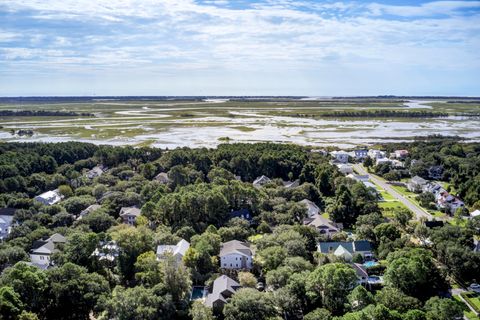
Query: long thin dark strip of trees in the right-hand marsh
x,y
384,114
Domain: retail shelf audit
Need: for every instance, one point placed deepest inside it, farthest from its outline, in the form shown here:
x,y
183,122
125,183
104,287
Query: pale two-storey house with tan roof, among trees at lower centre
x,y
235,255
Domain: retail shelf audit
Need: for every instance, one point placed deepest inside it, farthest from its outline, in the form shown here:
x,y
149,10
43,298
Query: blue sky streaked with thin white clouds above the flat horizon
x,y
239,47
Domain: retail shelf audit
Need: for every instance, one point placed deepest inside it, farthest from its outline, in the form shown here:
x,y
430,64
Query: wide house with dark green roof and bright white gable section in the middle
x,y
347,250
